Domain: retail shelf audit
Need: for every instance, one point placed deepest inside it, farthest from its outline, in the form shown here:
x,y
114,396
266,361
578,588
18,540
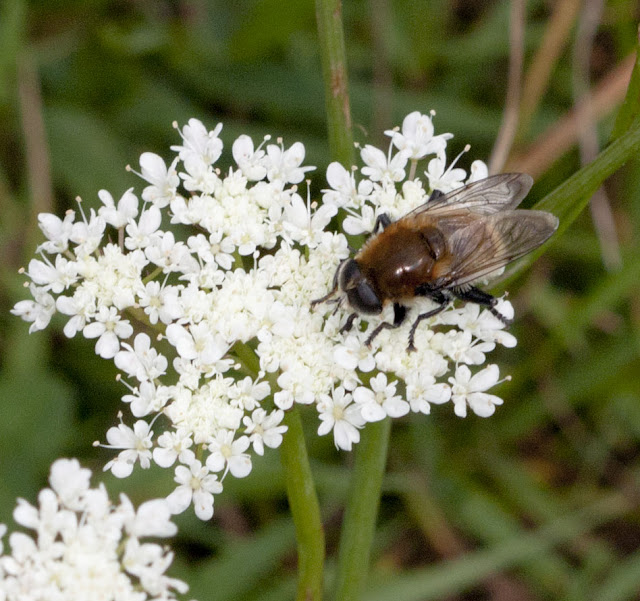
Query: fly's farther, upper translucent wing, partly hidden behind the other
x,y
501,192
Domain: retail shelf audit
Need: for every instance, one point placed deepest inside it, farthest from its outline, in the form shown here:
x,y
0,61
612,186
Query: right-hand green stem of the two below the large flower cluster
x,y
362,511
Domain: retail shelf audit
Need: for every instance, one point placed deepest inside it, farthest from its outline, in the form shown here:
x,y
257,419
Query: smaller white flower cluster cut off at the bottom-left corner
x,y
84,548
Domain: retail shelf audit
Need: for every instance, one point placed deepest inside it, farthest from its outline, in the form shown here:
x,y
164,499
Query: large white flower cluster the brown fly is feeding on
x,y
202,297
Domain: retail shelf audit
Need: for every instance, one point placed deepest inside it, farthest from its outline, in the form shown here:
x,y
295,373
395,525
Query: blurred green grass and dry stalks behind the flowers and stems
x,y
538,502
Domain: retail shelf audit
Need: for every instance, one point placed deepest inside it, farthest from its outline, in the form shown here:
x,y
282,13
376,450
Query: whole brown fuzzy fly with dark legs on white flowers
x,y
439,250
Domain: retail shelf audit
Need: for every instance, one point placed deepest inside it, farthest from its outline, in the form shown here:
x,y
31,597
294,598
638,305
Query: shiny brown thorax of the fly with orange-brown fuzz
x,y
400,258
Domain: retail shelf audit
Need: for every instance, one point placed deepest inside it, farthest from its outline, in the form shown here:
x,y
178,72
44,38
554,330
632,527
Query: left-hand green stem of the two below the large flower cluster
x,y
305,509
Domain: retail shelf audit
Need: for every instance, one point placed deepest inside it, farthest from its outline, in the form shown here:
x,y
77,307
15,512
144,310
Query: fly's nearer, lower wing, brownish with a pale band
x,y
491,242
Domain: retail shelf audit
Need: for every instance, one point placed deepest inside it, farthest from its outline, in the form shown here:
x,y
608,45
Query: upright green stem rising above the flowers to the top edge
x,y
334,75
